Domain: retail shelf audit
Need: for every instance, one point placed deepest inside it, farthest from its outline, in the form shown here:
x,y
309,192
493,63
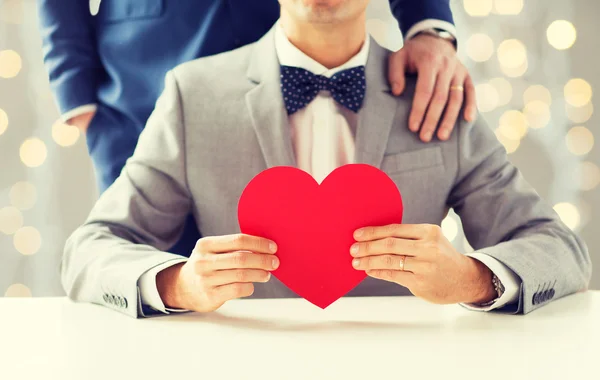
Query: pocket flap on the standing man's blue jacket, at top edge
x,y
123,10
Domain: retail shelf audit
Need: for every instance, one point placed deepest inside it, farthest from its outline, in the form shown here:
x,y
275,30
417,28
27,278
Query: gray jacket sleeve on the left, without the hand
x,y
139,217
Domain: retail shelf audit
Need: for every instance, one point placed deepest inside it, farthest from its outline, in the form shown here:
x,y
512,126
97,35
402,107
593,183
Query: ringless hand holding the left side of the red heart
x,y
220,269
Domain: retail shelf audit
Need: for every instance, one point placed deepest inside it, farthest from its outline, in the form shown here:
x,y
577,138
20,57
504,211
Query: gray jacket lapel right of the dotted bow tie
x,y
378,112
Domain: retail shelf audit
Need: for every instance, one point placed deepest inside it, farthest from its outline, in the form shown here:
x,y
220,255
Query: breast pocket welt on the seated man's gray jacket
x,y
413,160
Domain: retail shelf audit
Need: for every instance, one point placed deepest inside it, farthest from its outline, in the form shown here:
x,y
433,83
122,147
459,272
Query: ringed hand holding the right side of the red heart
x,y
433,269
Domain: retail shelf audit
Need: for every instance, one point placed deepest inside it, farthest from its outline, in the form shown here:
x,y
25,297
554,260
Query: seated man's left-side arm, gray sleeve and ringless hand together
x,y
118,259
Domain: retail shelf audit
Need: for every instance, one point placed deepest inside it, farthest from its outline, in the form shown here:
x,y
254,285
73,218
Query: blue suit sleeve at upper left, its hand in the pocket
x,y
69,47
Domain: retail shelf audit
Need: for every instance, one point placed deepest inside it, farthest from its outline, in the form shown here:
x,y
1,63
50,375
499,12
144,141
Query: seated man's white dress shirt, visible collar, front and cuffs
x,y
323,139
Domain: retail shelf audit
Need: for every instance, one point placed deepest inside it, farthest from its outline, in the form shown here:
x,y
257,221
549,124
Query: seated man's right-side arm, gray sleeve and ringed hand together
x,y
519,238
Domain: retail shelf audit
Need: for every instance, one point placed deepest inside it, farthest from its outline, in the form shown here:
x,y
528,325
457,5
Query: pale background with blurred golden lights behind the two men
x,y
535,62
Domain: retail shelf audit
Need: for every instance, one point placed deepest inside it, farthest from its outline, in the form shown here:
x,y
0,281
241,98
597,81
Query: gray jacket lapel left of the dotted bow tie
x,y
265,104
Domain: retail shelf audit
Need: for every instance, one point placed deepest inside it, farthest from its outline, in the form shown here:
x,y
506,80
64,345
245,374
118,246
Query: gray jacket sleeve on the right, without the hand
x,y
505,218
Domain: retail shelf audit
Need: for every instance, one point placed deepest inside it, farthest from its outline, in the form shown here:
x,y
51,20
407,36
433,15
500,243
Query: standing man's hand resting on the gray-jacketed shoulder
x,y
441,76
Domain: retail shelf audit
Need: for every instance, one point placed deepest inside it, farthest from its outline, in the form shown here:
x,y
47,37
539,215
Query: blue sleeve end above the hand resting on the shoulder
x,y
410,12
